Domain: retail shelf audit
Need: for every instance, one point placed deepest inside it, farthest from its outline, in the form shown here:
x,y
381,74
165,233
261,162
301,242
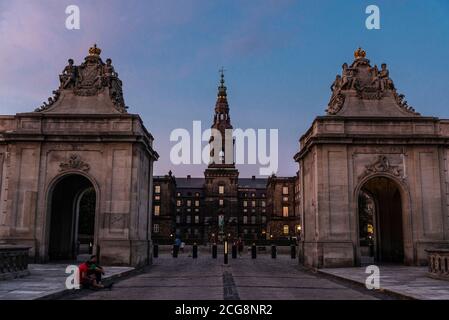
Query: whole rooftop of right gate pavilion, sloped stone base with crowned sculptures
x,y
366,90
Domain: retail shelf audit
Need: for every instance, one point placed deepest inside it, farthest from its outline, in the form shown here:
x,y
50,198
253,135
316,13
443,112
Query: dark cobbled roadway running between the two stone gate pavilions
x,y
185,278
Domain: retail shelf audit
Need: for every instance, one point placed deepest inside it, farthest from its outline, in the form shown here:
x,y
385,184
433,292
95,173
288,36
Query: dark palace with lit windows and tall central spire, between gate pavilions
x,y
222,204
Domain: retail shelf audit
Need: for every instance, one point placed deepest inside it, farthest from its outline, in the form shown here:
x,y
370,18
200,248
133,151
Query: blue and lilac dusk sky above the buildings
x,y
280,59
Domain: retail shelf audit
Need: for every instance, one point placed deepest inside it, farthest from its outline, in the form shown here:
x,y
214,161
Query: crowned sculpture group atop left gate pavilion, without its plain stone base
x,y
89,79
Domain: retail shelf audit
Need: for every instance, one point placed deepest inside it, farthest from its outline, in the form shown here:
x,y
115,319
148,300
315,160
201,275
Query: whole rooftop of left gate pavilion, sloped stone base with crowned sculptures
x,y
93,87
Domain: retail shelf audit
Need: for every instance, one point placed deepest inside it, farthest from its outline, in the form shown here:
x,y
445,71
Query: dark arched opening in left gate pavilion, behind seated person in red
x,y
72,205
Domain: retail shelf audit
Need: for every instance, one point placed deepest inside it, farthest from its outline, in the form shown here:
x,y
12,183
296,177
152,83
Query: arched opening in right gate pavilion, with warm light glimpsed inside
x,y
381,221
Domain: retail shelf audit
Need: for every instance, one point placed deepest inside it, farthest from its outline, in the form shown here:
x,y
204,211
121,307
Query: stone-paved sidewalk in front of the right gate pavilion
x,y
411,282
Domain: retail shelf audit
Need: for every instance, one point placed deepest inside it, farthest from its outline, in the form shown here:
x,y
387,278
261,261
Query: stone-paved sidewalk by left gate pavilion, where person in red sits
x,y
45,281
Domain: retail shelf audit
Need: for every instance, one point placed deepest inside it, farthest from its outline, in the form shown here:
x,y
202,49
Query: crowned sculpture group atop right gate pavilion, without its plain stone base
x,y
365,82
